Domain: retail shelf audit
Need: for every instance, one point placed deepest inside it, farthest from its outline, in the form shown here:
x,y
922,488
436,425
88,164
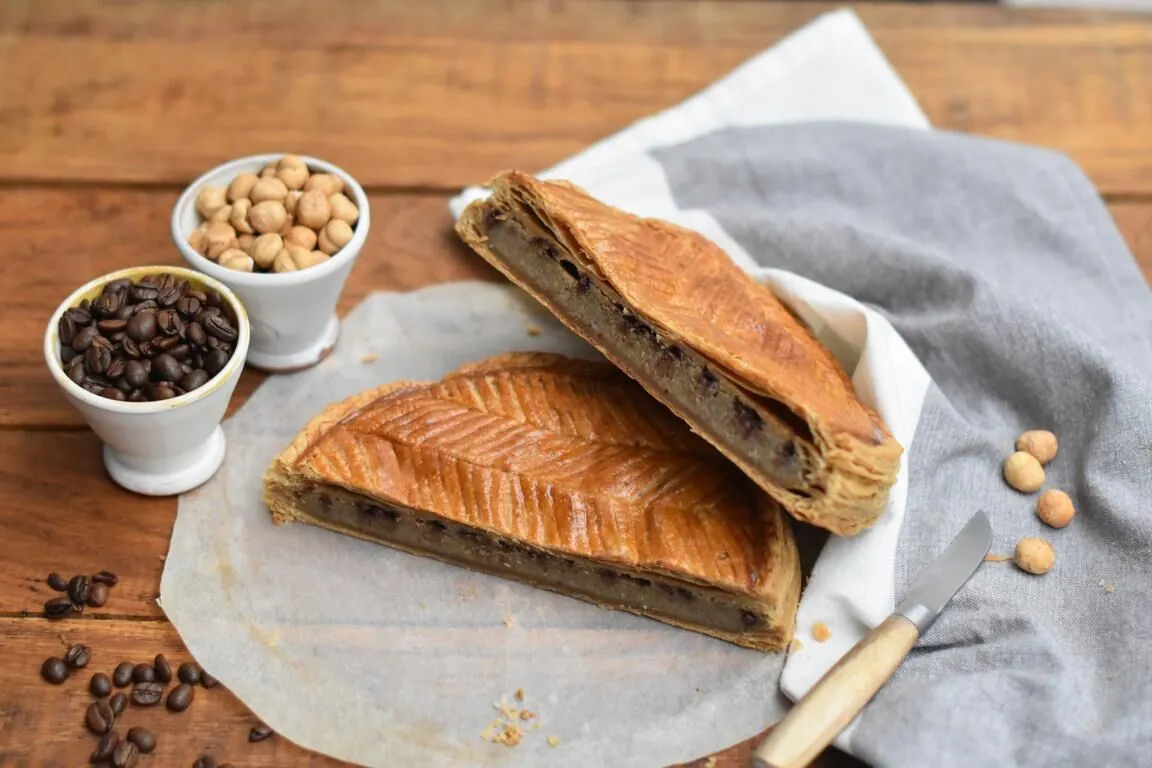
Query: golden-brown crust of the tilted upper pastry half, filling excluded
x,y
685,286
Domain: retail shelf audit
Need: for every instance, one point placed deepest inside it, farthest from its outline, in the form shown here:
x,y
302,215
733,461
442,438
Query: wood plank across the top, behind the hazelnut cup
x,y
443,94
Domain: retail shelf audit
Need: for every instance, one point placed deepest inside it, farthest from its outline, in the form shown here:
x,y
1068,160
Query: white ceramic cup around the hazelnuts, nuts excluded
x,y
294,314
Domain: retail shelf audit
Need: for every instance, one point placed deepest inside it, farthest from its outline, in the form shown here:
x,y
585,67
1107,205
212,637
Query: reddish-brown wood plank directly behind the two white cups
x,y
412,245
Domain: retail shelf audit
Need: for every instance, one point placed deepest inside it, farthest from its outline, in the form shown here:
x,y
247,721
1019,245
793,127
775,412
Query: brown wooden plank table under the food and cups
x,y
105,113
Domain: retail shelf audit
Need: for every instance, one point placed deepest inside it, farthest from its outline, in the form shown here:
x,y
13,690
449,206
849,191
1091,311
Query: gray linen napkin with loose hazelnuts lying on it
x,y
1004,272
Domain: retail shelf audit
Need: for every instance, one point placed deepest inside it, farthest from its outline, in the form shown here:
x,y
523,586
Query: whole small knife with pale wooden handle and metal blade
x,y
852,683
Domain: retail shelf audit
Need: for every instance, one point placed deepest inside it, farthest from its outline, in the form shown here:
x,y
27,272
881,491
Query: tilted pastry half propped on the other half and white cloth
x,y
671,309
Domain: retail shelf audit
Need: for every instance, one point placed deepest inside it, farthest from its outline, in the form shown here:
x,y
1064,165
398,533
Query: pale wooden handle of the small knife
x,y
838,697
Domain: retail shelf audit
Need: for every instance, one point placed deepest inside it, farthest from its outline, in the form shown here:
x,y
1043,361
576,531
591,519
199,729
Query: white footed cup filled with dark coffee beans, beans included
x,y
150,356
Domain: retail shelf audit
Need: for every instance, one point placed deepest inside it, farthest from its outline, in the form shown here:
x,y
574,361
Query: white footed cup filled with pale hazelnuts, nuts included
x,y
283,232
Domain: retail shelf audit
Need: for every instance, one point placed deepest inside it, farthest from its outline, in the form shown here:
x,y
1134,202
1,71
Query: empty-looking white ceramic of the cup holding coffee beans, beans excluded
x,y
164,447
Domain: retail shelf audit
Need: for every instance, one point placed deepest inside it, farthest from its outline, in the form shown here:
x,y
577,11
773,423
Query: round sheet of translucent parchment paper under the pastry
x,y
386,659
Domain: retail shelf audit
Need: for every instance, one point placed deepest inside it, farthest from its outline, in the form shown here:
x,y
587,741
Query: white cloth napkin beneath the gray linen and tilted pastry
x,y
831,70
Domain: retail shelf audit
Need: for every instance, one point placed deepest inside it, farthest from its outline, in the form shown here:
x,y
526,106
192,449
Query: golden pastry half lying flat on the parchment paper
x,y
558,473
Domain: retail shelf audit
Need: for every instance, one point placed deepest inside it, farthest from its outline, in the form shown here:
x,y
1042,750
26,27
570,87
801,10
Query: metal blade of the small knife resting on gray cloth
x,y
941,581
